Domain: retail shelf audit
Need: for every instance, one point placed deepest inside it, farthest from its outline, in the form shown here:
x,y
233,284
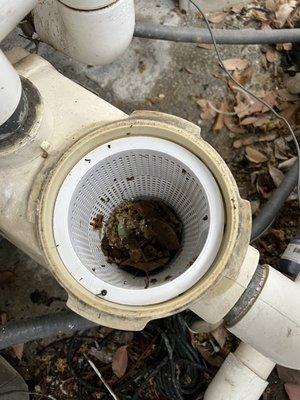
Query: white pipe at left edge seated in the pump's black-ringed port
x,y
10,89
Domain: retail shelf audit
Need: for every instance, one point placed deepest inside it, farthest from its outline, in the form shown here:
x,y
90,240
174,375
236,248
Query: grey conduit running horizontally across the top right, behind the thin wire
x,y
188,34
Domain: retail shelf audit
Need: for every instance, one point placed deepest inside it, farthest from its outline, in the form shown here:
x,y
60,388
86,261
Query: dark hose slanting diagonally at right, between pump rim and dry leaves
x,y
269,211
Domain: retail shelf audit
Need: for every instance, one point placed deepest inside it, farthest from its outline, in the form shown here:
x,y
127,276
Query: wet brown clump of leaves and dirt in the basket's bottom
x,y
142,236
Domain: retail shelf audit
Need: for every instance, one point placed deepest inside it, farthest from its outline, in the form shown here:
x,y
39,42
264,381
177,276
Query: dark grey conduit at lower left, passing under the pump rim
x,y
41,327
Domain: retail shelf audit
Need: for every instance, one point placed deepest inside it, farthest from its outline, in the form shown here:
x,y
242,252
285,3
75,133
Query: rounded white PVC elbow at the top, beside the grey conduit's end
x,y
95,37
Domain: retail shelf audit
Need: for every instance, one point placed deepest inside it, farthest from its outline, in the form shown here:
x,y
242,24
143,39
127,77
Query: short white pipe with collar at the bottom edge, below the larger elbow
x,y
242,376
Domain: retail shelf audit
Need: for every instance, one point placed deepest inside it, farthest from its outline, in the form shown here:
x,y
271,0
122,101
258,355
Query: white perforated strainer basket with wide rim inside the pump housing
x,y
129,169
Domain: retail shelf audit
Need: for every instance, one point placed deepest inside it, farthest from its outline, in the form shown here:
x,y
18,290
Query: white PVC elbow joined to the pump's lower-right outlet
x,y
272,325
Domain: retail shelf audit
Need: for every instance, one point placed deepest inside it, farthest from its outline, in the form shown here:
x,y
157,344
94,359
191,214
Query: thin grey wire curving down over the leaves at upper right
x,y
221,63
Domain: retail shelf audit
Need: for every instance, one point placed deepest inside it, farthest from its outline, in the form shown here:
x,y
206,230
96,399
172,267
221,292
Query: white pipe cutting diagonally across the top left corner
x,y
12,12
